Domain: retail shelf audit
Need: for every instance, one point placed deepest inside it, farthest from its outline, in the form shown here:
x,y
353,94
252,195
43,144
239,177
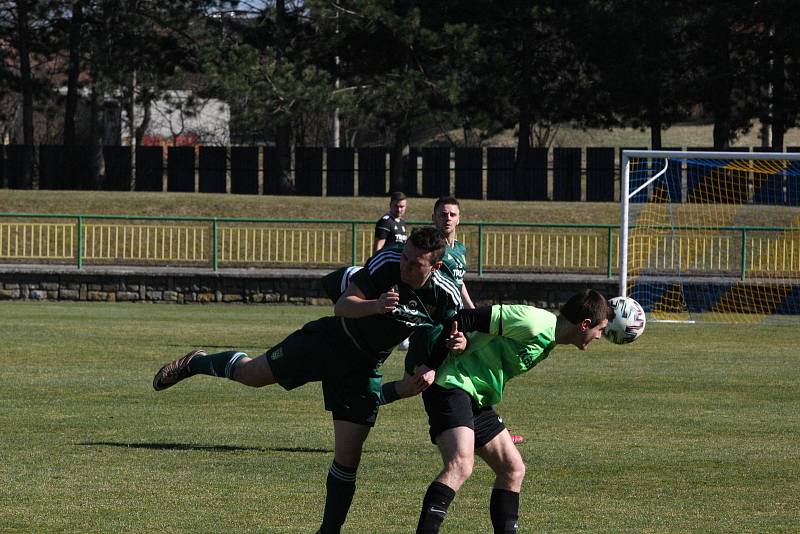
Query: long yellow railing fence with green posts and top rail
x,y
218,242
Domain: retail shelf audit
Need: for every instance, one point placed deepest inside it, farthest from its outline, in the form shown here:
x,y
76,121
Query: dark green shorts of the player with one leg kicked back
x,y
320,352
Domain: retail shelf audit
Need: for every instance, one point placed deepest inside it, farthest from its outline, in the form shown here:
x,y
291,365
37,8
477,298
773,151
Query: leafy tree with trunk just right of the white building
x,y
265,60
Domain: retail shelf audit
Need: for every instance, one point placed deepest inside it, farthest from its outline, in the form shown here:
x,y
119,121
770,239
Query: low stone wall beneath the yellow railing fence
x,y
251,286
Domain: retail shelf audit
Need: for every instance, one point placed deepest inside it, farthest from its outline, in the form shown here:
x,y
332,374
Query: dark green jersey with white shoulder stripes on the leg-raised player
x,y
418,309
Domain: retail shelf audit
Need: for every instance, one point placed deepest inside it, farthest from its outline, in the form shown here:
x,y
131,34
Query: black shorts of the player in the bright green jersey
x,y
453,407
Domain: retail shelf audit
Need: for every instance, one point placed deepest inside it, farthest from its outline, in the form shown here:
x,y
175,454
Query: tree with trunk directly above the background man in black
x,y
390,63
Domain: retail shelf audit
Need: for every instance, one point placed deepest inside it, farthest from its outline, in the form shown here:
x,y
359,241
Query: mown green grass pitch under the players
x,y
691,429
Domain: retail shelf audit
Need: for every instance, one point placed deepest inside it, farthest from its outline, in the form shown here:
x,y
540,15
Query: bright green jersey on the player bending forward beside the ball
x,y
520,337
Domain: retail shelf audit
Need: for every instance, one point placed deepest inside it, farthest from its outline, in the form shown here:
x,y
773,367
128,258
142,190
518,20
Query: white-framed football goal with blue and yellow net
x,y
711,236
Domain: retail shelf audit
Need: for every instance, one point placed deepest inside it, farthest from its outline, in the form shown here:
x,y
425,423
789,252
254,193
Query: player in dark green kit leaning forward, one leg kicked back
x,y
399,291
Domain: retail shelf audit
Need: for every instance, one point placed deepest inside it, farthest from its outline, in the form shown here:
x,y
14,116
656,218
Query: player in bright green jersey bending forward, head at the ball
x,y
508,340
